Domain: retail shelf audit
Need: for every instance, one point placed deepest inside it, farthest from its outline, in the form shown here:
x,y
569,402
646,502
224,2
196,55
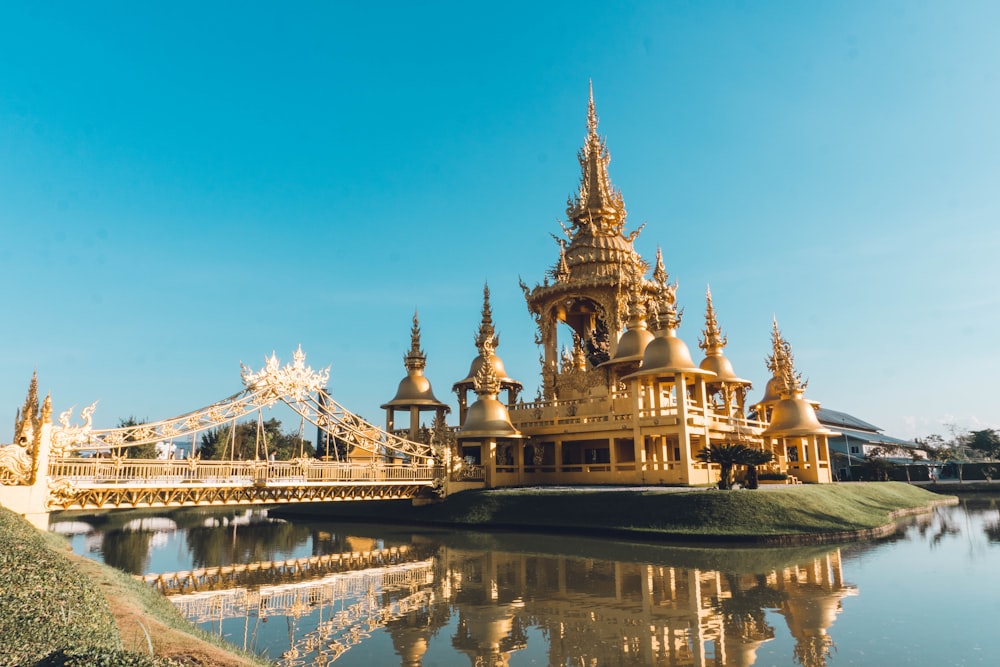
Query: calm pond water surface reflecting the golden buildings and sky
x,y
315,593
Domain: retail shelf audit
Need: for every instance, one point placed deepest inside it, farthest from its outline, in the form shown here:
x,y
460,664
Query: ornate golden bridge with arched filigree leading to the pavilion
x,y
66,466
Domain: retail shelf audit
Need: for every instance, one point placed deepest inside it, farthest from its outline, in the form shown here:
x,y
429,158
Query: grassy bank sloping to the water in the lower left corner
x,y
60,609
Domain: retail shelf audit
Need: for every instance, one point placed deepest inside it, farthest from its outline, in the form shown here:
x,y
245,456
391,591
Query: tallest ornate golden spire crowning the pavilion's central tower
x,y
597,208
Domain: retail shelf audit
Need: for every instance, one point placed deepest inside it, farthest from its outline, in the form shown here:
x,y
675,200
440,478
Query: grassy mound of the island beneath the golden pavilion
x,y
788,514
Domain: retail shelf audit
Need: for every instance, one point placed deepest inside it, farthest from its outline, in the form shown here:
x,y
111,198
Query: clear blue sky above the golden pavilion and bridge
x,y
185,186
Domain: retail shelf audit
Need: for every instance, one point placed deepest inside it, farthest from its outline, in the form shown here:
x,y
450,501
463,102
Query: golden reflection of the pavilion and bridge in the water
x,y
493,604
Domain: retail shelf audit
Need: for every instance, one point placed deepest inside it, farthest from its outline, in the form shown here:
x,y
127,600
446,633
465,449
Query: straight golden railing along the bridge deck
x,y
194,471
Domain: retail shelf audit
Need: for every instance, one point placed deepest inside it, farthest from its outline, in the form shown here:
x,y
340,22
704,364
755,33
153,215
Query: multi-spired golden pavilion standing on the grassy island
x,y
622,400
